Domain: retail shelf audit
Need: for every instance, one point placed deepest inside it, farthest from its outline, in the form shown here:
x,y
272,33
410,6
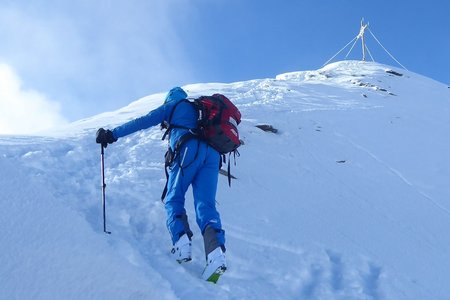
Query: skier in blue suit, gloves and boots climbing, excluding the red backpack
x,y
196,164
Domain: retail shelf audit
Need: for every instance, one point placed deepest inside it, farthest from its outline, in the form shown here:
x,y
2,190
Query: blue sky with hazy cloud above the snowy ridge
x,y
82,57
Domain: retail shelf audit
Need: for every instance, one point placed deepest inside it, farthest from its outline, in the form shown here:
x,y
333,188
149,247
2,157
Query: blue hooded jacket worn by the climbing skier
x,y
184,115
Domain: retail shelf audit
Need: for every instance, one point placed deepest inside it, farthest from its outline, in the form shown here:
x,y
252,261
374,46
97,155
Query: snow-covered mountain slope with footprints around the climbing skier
x,y
349,200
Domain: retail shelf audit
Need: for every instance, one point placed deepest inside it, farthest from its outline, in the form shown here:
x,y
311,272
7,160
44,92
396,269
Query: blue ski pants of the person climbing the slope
x,y
199,168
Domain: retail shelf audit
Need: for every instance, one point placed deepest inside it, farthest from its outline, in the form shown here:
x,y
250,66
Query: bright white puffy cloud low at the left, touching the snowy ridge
x,y
24,111
